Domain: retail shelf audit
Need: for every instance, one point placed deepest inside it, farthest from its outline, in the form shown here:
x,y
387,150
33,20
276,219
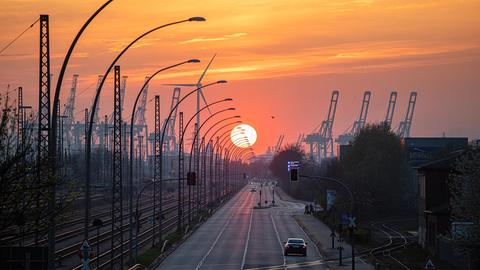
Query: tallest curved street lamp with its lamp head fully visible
x,y
94,107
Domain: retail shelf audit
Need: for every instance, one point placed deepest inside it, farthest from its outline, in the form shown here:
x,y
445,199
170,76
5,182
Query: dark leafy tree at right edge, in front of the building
x,y
464,184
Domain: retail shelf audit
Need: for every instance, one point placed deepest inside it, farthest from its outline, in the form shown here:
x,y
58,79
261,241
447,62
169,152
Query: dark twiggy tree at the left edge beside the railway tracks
x,y
23,197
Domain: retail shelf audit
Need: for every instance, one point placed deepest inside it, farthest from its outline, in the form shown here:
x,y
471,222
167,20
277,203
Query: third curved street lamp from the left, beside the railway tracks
x,y
132,121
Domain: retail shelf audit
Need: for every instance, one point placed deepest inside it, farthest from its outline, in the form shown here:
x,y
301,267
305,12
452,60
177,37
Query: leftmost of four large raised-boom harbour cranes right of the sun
x,y
321,142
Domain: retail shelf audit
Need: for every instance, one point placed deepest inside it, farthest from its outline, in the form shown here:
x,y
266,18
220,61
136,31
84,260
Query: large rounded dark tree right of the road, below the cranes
x,y
376,170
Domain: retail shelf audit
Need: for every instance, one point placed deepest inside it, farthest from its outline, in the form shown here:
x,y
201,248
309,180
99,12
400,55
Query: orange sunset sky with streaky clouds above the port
x,y
281,58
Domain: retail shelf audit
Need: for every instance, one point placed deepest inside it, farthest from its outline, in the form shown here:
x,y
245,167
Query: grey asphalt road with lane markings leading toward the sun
x,y
240,237
